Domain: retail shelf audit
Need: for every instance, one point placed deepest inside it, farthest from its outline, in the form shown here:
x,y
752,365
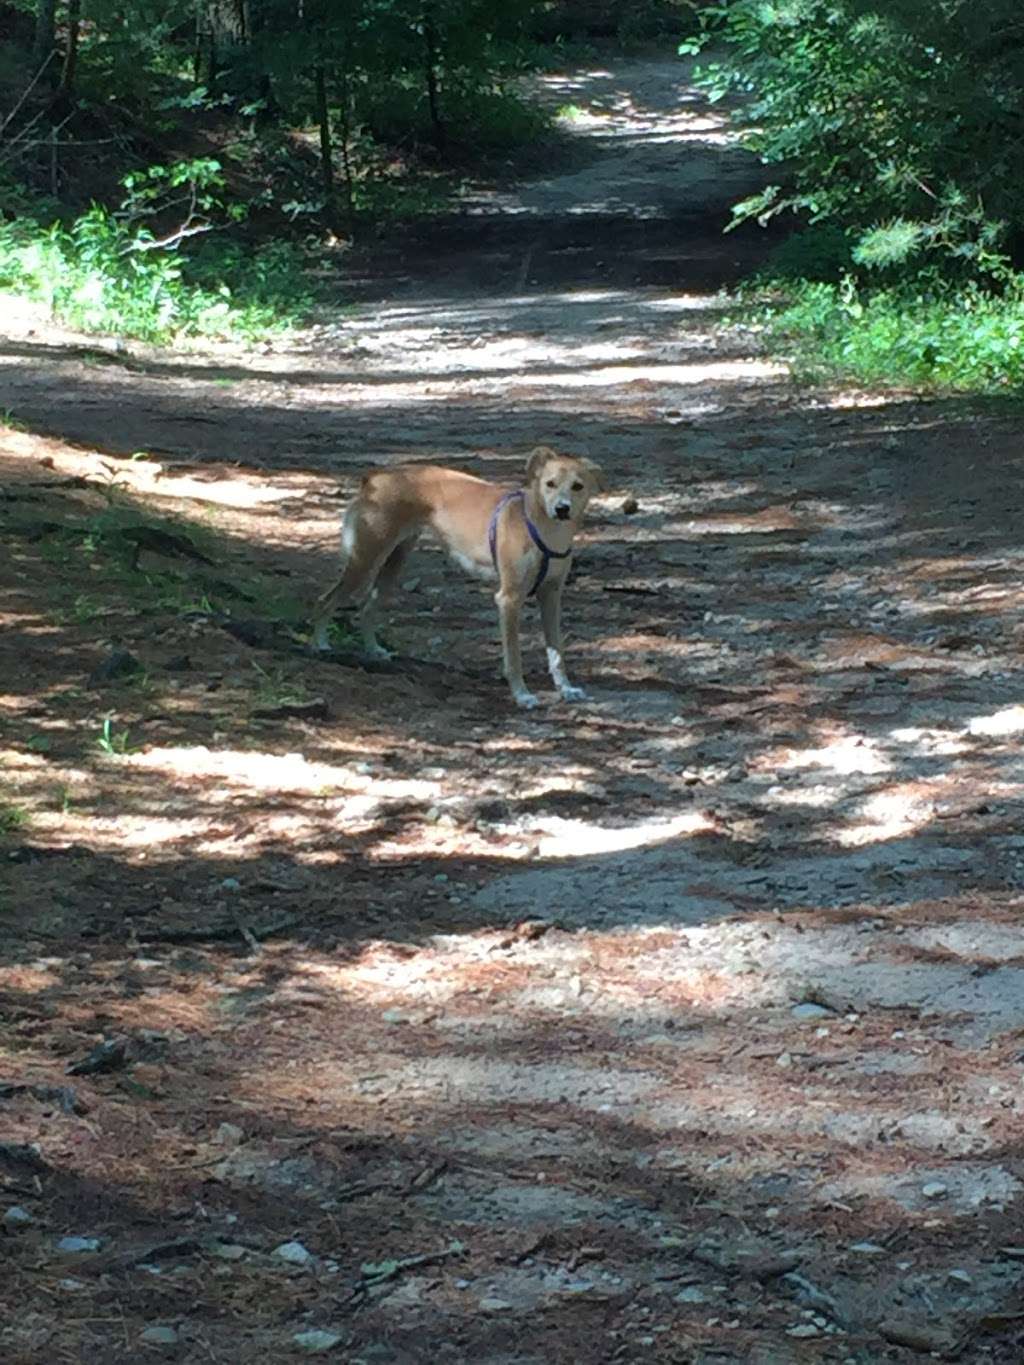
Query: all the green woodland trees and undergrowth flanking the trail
x,y
166,167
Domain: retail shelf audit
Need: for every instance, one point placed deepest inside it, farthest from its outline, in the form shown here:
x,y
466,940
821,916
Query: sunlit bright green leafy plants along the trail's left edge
x,y
111,271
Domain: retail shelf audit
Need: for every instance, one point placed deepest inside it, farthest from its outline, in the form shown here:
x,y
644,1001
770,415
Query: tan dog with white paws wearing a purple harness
x,y
522,540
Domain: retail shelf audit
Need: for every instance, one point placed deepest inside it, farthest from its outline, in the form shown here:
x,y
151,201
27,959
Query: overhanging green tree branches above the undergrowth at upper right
x,y
896,121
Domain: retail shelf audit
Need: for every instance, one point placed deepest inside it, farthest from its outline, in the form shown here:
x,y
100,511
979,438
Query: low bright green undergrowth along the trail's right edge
x,y
928,335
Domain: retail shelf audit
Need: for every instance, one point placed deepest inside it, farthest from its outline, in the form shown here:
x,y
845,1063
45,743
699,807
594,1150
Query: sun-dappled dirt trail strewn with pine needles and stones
x,y
683,1026
